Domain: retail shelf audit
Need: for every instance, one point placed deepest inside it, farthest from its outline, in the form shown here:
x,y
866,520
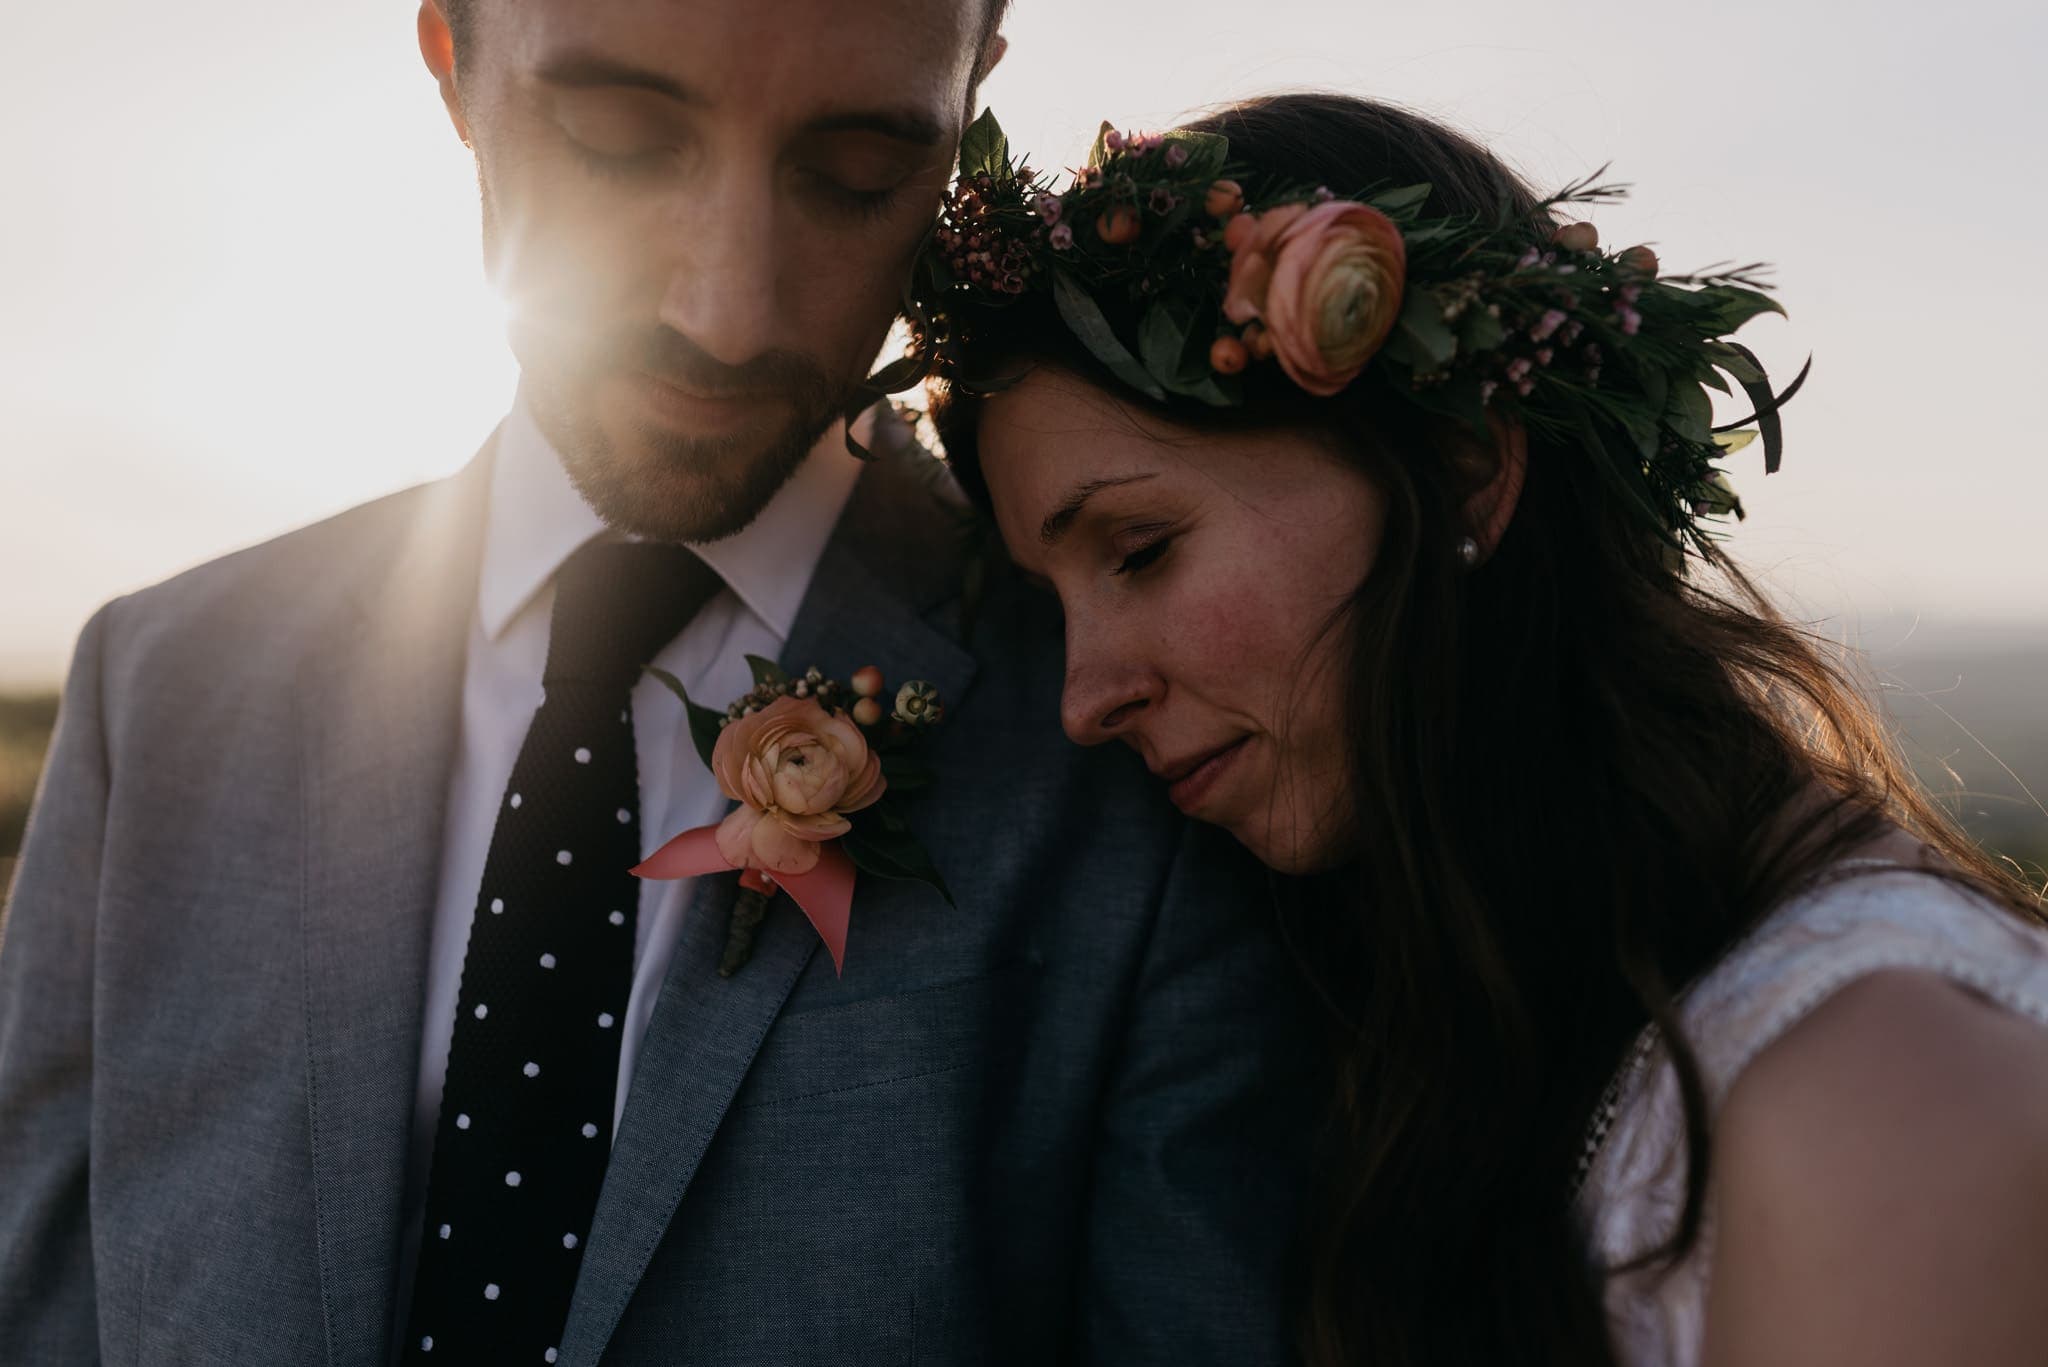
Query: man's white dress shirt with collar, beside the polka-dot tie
x,y
536,522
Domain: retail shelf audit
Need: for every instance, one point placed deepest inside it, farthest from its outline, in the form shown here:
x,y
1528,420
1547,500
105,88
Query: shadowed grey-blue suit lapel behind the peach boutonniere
x,y
892,561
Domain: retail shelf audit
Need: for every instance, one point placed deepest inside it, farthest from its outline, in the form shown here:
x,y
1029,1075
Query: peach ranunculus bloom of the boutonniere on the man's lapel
x,y
796,772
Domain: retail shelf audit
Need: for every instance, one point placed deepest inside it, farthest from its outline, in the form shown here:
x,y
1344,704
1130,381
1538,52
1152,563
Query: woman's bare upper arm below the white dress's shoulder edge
x,y
1879,1179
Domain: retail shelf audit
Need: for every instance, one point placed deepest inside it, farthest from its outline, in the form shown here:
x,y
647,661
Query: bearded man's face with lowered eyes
x,y
701,214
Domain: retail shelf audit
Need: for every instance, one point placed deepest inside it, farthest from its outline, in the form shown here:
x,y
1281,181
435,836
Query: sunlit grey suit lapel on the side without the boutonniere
x,y
382,720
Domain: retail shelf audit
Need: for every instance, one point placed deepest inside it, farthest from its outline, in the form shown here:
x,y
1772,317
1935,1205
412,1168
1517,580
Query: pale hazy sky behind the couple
x,y
241,284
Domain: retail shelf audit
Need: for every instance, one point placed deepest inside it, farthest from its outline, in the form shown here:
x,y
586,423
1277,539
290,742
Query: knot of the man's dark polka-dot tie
x,y
617,604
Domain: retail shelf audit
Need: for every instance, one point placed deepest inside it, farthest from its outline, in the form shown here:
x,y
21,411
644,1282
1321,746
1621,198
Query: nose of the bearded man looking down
x,y
724,284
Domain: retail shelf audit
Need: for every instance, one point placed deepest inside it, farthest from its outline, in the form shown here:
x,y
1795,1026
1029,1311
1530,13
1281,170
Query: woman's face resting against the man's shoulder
x,y
1205,579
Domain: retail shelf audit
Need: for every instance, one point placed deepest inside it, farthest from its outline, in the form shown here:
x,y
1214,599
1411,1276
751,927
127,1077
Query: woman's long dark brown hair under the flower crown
x,y
1580,776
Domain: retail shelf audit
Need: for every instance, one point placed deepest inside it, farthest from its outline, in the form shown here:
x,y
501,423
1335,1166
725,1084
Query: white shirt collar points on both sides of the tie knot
x,y
538,522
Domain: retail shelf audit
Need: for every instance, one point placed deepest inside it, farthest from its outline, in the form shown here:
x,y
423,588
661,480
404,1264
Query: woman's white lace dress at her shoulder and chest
x,y
1863,919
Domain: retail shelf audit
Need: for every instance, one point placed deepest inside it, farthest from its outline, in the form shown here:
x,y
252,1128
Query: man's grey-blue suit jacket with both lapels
x,y
1066,1122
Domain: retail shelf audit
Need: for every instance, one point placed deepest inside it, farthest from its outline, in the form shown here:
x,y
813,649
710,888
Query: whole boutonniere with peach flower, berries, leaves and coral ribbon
x,y
816,768
